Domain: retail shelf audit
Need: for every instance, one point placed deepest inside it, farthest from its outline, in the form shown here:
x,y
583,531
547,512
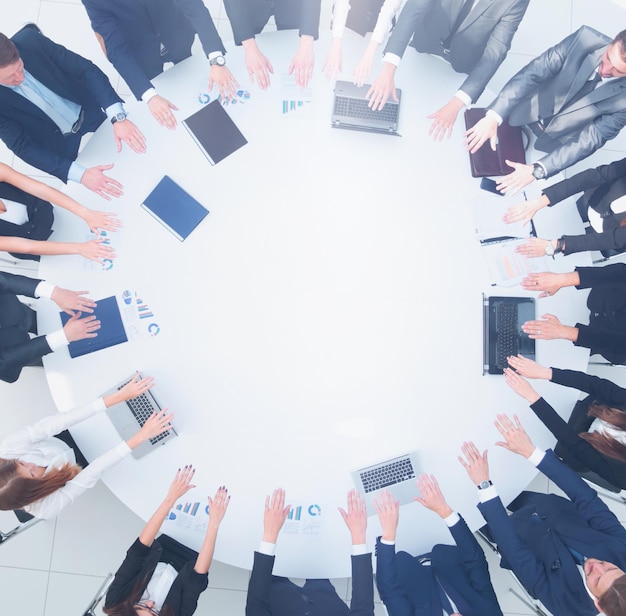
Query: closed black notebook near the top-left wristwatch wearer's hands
x,y
214,132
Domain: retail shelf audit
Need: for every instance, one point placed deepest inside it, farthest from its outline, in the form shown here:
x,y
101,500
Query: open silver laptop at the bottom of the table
x,y
397,475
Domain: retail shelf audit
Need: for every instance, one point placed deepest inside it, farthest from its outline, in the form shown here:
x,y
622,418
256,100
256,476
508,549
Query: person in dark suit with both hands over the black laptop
x,y
606,332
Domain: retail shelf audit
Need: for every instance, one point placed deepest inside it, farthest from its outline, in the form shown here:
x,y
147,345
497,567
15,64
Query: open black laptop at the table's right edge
x,y
503,318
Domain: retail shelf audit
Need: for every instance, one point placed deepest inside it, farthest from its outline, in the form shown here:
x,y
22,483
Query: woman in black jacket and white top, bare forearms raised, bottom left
x,y
160,575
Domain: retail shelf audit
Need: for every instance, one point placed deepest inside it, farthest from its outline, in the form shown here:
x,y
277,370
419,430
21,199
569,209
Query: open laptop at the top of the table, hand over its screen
x,y
351,111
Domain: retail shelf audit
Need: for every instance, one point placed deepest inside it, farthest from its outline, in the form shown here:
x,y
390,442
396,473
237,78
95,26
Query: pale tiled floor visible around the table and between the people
x,y
55,568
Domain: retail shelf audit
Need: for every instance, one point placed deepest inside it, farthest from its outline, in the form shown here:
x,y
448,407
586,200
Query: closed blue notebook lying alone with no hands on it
x,y
174,208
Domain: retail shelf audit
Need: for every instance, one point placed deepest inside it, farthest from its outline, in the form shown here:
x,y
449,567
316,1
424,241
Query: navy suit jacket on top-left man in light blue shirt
x,y
29,132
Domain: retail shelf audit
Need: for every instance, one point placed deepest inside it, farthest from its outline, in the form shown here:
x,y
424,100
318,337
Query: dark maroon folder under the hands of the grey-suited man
x,y
486,162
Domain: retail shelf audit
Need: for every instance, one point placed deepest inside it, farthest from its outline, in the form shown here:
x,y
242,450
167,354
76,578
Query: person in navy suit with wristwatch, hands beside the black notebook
x,y
139,37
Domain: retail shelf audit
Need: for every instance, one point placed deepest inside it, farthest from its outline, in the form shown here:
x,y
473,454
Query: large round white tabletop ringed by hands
x,y
325,315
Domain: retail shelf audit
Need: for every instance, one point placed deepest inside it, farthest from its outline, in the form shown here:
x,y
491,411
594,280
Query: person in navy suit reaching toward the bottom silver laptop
x,y
451,579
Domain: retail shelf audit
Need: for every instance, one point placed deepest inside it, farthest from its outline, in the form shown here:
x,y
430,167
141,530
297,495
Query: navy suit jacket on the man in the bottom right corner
x,y
534,540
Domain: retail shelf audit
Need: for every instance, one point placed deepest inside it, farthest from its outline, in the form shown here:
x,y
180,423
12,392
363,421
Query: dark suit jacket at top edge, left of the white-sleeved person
x,y
248,17
